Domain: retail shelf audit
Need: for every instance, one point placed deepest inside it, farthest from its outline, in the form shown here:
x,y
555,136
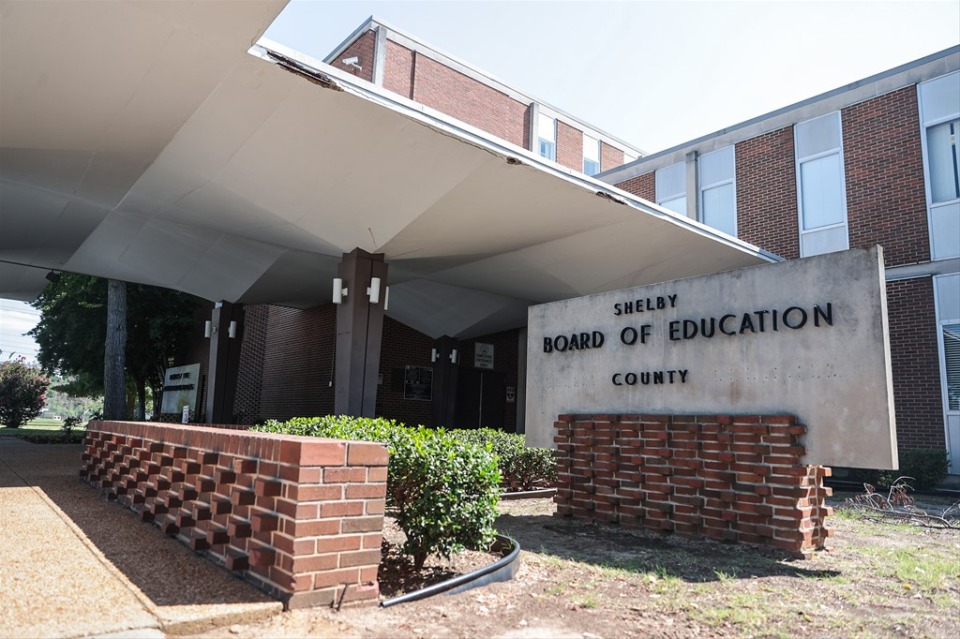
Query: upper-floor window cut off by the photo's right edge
x,y
940,139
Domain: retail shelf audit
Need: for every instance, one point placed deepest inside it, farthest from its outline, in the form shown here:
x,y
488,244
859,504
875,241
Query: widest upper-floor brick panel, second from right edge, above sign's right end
x,y
886,203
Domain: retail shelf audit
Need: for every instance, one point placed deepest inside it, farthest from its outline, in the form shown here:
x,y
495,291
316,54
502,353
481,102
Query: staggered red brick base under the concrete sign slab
x,y
730,478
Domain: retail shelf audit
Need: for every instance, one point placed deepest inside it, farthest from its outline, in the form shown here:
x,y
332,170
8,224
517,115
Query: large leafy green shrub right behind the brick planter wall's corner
x,y
445,489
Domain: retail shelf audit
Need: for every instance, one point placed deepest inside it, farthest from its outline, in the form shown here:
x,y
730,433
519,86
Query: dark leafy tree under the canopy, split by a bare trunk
x,y
72,334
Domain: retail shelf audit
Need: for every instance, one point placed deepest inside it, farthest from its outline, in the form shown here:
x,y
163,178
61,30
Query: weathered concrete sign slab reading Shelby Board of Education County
x,y
803,337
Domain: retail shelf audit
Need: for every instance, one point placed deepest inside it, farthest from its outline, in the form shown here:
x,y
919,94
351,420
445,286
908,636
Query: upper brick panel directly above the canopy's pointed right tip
x,y
767,193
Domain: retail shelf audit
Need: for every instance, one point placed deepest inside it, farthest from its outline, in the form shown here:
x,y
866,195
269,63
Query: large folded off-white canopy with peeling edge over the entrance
x,y
142,141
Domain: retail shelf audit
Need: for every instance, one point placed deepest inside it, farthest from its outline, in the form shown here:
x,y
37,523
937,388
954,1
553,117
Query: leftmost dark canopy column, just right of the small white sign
x,y
226,337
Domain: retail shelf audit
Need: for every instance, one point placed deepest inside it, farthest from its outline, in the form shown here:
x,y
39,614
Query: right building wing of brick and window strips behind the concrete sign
x,y
873,162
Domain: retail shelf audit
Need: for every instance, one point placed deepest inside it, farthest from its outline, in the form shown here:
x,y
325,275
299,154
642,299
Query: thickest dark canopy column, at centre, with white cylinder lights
x,y
359,334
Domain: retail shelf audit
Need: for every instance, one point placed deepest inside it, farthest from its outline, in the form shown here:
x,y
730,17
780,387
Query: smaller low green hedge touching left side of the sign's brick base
x,y
522,468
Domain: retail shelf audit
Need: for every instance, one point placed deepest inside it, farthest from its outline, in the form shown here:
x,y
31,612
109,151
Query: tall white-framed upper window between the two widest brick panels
x,y
820,186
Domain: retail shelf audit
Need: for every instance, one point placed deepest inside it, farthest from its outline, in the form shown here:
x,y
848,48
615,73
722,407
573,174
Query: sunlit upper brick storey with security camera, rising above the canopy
x,y
389,58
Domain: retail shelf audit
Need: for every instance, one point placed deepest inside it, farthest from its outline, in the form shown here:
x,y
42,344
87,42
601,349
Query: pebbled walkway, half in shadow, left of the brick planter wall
x,y
73,565
